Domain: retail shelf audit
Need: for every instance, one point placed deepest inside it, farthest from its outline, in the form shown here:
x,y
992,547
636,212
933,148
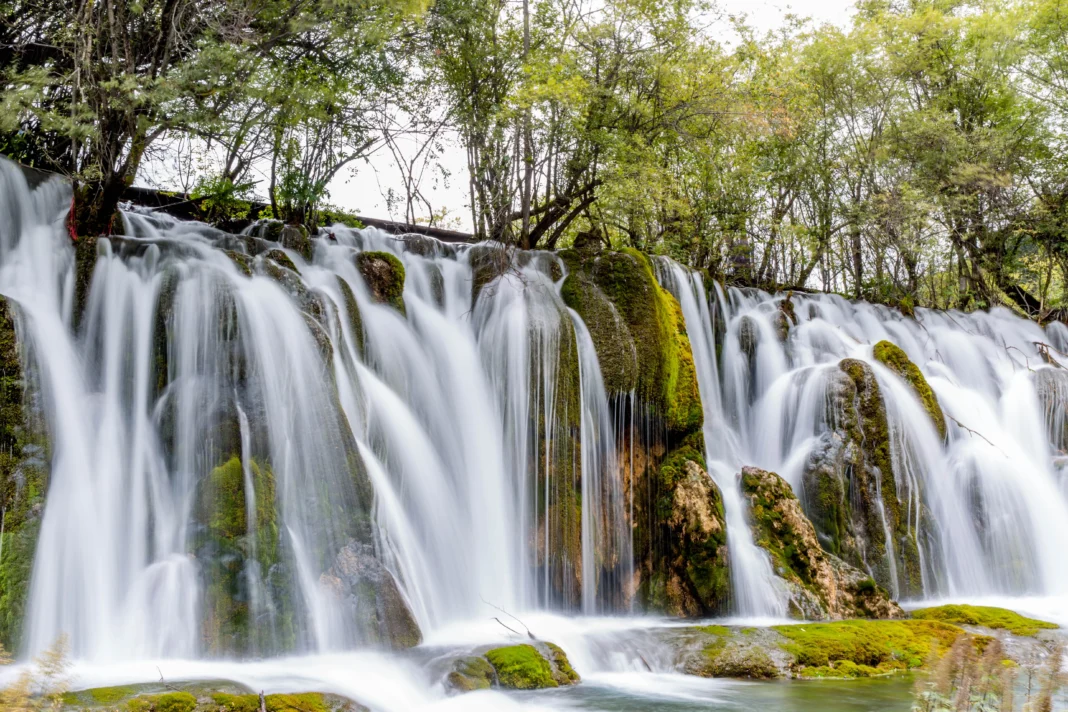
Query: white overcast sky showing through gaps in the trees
x,y
363,188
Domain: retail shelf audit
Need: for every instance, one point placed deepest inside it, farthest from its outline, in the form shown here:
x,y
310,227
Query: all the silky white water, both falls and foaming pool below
x,y
462,417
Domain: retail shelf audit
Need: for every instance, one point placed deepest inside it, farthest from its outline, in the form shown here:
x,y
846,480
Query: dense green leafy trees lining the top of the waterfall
x,y
916,157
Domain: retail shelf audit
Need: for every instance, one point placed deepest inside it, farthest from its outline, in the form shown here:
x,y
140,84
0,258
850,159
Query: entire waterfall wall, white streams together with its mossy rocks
x,y
278,444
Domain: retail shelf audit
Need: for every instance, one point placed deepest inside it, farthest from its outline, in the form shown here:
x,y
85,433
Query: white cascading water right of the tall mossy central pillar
x,y
987,508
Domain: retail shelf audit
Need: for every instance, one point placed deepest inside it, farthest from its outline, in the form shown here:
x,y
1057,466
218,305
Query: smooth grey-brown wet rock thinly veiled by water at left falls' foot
x,y
372,597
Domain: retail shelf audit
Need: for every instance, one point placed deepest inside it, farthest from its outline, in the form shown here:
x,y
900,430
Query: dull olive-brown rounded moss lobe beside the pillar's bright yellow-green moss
x,y
612,341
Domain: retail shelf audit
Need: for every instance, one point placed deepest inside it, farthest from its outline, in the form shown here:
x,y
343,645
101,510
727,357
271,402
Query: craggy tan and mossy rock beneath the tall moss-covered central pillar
x,y
692,575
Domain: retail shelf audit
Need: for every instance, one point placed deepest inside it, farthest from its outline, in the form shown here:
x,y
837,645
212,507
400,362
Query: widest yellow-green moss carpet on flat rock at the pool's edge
x,y
885,645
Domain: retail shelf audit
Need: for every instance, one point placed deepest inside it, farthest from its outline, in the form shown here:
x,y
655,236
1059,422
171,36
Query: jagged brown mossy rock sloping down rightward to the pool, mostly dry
x,y
823,587
